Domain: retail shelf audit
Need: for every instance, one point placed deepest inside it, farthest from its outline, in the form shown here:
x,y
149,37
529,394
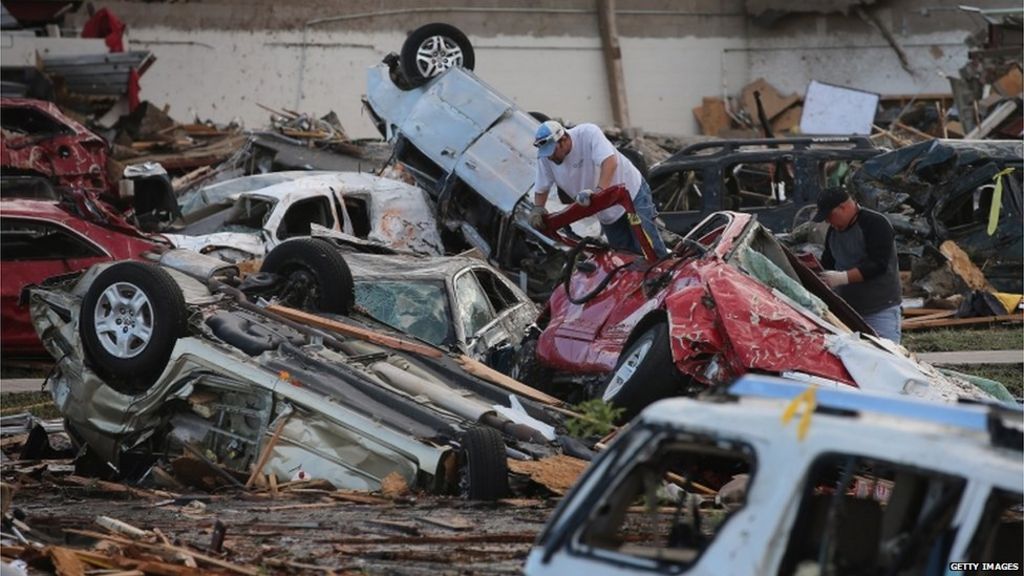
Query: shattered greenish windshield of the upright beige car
x,y
419,309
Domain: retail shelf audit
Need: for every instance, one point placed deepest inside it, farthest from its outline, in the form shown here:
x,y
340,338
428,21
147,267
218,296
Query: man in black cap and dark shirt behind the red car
x,y
861,261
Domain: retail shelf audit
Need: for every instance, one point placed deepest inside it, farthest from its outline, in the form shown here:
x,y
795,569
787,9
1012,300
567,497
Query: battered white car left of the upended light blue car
x,y
245,218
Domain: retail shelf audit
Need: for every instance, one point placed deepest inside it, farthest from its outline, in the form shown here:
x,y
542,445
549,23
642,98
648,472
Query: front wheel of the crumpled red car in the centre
x,y
644,375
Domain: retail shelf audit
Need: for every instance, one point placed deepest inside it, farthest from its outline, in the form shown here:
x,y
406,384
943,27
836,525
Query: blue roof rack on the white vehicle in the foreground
x,y
980,418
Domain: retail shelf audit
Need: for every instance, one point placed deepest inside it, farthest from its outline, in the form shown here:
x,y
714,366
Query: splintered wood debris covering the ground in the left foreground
x,y
65,524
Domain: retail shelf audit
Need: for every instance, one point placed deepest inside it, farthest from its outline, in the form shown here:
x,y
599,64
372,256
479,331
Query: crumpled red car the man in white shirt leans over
x,y
718,307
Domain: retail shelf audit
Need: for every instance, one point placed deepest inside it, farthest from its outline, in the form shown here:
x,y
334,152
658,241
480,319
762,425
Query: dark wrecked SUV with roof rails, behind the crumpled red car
x,y
777,179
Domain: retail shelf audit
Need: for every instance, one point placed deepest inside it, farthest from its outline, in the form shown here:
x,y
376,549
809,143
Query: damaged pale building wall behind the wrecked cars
x,y
234,56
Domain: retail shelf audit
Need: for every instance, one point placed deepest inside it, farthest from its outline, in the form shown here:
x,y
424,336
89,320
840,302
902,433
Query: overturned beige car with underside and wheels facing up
x,y
159,363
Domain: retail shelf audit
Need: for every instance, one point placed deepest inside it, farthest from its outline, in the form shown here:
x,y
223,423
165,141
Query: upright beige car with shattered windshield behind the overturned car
x,y
456,303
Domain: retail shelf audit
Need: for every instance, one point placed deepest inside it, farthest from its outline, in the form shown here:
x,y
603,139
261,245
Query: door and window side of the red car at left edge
x,y
34,251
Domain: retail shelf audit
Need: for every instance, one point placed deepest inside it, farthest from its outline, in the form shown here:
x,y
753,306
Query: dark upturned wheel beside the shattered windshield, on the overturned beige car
x,y
317,277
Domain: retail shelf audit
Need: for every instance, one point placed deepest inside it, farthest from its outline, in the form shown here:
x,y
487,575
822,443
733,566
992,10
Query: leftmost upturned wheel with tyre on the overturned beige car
x,y
132,317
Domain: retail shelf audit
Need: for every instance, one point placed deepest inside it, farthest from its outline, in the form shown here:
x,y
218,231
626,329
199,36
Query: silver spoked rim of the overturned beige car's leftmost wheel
x,y
123,320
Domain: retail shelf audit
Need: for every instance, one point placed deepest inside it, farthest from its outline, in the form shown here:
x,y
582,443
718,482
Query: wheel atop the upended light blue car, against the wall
x,y
433,50
